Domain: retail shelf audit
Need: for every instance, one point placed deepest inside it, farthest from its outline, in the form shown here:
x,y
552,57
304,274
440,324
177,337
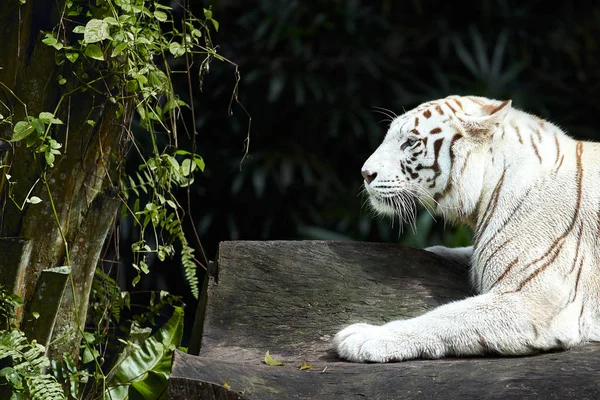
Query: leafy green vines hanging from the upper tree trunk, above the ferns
x,y
125,46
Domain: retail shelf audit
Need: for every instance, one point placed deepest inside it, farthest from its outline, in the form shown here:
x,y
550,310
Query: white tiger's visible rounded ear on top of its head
x,y
489,117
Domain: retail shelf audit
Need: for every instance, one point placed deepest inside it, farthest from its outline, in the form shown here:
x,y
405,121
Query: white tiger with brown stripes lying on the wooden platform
x,y
530,193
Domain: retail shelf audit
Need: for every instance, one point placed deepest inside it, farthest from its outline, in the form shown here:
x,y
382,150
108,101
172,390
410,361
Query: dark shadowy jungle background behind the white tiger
x,y
312,73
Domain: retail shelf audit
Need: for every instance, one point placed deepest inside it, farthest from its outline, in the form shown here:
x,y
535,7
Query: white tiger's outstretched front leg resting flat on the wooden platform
x,y
489,323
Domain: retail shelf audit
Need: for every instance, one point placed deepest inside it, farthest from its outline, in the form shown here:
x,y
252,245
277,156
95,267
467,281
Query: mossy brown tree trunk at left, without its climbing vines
x,y
78,205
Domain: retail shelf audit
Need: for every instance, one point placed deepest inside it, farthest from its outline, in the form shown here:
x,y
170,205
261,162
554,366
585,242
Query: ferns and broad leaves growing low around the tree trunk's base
x,y
139,366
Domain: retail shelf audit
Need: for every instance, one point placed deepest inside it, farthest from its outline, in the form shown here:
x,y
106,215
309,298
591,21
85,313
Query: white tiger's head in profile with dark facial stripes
x,y
424,156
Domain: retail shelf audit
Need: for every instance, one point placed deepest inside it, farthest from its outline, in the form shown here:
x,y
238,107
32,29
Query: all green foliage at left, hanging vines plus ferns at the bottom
x,y
123,51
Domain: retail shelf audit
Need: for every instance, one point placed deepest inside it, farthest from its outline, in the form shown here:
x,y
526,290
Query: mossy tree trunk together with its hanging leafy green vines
x,y
73,76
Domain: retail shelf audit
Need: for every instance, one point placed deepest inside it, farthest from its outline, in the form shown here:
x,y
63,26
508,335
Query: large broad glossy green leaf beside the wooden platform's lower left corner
x,y
153,357
